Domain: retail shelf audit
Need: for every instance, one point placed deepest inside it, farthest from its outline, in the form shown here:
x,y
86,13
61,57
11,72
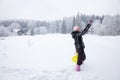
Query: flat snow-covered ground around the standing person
x,y
48,57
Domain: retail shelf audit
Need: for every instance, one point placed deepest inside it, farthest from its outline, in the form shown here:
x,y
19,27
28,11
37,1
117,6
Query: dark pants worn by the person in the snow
x,y
81,56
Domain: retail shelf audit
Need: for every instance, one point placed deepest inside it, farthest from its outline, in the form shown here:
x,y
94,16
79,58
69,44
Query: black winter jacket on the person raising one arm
x,y
77,36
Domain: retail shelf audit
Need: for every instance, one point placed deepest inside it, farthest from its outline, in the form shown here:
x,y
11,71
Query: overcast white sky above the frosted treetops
x,y
55,9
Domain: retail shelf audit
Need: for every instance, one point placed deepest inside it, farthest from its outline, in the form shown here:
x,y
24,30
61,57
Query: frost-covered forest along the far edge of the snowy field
x,y
105,25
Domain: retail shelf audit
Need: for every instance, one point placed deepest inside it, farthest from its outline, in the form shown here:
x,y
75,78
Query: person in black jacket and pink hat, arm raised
x,y
79,45
